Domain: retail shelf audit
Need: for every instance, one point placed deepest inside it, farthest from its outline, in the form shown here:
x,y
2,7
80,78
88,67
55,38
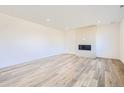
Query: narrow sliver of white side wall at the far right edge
x,y
122,41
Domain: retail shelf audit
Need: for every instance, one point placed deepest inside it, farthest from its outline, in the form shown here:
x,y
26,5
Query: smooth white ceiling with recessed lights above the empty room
x,y
65,17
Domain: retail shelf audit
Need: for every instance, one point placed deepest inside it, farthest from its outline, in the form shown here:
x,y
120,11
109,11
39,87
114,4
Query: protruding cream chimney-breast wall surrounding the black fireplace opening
x,y
86,36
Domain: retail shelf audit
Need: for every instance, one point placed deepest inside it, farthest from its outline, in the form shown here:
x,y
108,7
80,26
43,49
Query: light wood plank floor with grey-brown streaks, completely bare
x,y
64,71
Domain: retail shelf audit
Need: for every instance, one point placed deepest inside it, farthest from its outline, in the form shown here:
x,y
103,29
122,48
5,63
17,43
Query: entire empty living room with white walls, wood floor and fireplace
x,y
61,45
